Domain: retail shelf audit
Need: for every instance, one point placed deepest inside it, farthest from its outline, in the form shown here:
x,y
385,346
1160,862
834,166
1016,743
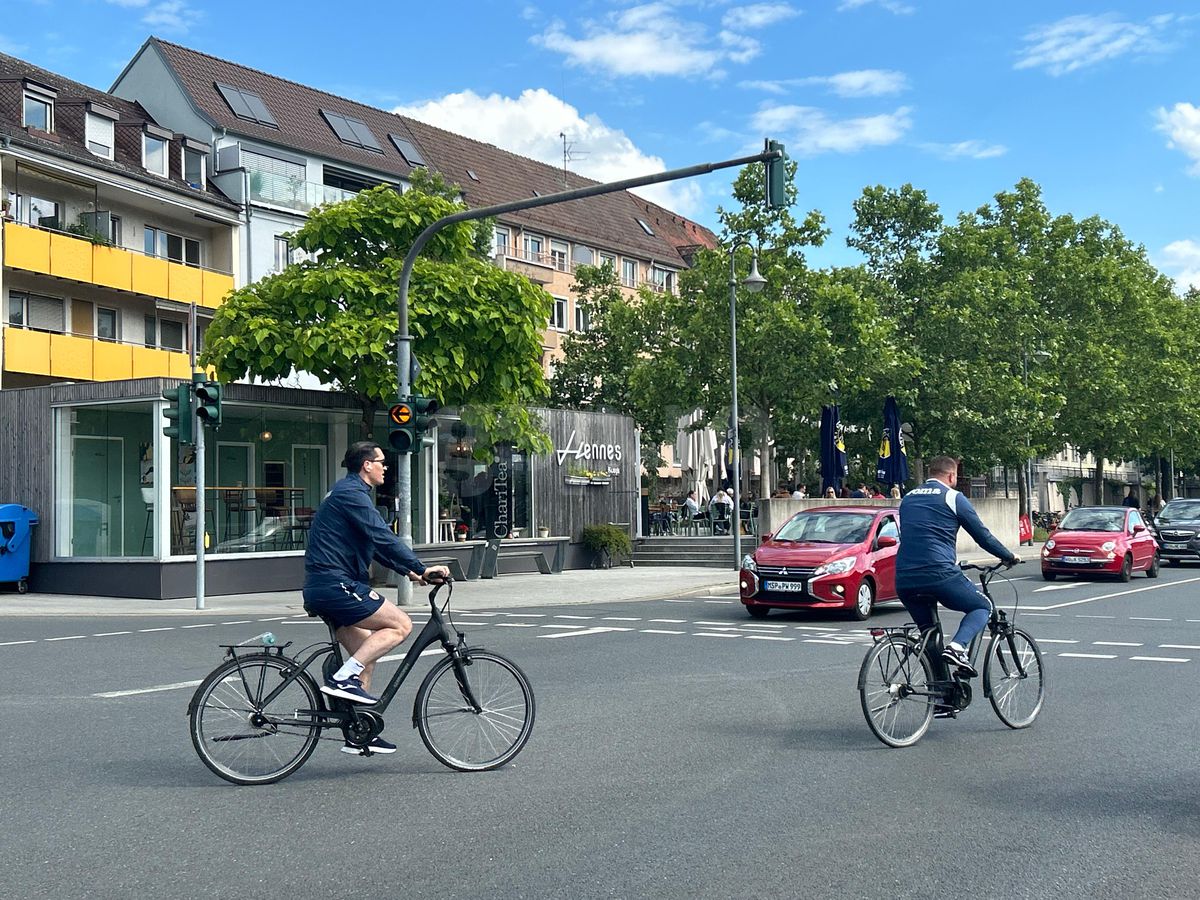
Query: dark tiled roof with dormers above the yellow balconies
x,y
70,146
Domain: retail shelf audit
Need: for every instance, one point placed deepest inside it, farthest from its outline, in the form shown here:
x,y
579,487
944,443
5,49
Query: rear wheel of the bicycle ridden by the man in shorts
x,y
242,740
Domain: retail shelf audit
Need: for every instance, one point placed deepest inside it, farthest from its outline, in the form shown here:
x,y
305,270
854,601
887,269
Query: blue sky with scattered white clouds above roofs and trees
x,y
1097,103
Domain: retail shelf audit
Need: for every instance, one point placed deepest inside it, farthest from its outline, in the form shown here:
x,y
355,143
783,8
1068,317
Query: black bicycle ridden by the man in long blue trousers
x,y
904,680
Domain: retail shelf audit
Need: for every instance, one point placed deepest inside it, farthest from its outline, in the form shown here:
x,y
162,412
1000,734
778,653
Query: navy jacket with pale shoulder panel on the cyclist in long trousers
x,y
931,518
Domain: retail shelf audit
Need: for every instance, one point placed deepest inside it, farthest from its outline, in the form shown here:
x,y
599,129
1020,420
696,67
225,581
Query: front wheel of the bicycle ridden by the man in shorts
x,y
463,735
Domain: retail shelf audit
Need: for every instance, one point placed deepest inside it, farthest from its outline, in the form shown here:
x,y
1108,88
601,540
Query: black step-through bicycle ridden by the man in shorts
x,y
259,717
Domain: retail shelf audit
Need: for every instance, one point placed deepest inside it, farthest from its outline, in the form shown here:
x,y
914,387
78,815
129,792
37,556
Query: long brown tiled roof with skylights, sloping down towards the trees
x,y
607,223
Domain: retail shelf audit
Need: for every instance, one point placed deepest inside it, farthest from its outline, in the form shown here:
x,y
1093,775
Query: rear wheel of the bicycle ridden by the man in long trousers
x,y
895,689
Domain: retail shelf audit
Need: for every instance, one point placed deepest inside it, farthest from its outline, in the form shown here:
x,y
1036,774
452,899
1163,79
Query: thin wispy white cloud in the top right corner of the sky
x,y
1081,41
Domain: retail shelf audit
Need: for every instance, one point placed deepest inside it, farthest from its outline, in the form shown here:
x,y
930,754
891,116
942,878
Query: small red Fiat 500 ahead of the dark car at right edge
x,y
1101,541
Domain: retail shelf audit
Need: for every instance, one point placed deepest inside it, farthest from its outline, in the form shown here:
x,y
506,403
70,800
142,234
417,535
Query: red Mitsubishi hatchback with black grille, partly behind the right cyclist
x,y
825,559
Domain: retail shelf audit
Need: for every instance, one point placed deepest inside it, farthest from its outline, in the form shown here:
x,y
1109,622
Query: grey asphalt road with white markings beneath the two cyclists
x,y
682,751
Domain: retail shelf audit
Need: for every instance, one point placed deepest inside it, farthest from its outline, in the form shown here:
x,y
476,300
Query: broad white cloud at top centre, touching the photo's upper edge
x,y
650,40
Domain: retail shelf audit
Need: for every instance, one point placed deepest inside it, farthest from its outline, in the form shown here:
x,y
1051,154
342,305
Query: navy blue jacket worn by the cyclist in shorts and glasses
x,y
347,533
